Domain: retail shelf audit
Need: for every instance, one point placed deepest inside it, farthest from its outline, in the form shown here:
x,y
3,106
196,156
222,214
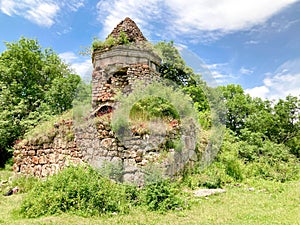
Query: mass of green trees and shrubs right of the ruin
x,y
262,139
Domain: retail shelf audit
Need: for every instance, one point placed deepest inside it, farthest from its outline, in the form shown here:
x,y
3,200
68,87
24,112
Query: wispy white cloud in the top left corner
x,y
42,13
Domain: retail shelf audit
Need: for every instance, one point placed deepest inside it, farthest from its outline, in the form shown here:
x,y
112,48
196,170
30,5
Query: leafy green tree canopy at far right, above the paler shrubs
x,y
255,120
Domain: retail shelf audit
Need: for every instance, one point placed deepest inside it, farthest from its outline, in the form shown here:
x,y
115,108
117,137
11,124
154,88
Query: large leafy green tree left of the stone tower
x,y
34,83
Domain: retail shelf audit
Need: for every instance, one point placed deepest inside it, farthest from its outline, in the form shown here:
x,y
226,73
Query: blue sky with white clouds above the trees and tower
x,y
253,43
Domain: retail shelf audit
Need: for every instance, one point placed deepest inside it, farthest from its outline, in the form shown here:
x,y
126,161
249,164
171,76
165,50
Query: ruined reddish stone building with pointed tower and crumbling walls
x,y
116,70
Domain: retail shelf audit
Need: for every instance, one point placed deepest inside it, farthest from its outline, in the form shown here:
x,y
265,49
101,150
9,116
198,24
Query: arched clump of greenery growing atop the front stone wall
x,y
174,100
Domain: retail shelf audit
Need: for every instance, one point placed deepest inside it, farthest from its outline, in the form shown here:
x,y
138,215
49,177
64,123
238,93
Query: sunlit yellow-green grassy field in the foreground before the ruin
x,y
268,203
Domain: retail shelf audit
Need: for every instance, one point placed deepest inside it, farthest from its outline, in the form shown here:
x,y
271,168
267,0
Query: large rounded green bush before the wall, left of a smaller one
x,y
80,190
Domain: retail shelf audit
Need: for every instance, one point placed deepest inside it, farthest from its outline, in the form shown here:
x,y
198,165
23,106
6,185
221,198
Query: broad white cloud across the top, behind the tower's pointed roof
x,y
210,19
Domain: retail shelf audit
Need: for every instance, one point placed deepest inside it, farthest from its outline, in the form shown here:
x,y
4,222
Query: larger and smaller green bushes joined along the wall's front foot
x,y
84,191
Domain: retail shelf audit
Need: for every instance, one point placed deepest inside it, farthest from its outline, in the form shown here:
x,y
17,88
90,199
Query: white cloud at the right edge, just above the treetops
x,y
285,81
